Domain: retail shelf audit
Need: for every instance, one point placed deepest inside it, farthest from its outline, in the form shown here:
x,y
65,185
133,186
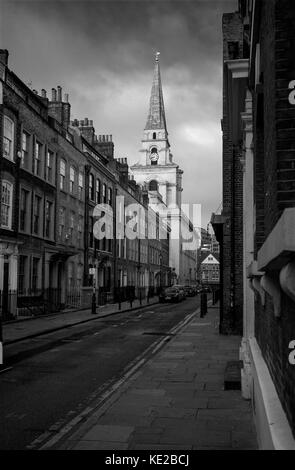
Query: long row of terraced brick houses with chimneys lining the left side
x,y
54,171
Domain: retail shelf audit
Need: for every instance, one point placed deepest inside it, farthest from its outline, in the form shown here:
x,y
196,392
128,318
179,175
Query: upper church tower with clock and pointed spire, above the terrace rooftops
x,y
155,169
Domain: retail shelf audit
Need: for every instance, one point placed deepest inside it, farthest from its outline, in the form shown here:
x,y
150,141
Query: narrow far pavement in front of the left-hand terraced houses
x,y
31,327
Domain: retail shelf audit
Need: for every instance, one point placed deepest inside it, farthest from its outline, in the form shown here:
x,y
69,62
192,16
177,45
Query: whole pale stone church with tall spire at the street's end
x,y
157,172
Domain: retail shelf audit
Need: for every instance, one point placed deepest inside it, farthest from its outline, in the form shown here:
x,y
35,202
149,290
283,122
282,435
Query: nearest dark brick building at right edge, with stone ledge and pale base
x,y
271,81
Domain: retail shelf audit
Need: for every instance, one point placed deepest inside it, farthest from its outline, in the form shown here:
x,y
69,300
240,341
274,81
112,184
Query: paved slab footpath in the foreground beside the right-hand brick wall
x,y
176,401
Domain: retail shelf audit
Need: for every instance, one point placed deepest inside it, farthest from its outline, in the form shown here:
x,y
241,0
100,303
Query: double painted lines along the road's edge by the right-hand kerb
x,y
110,391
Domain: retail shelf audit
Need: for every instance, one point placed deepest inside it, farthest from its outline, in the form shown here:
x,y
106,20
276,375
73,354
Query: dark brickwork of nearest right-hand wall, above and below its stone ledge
x,y
274,157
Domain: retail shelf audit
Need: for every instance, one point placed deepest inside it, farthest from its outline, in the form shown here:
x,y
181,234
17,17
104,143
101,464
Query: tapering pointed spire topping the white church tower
x,y
156,117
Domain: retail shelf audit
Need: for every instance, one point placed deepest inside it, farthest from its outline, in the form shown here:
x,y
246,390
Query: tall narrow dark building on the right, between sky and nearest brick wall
x,y
228,225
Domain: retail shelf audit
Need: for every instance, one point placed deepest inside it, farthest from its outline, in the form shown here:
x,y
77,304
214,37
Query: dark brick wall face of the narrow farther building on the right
x,y
231,244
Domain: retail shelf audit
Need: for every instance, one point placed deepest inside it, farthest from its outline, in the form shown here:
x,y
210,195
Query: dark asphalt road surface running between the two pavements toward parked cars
x,y
56,376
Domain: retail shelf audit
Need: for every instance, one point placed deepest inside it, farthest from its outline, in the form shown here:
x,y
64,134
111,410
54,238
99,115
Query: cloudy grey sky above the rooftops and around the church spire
x,y
102,54
